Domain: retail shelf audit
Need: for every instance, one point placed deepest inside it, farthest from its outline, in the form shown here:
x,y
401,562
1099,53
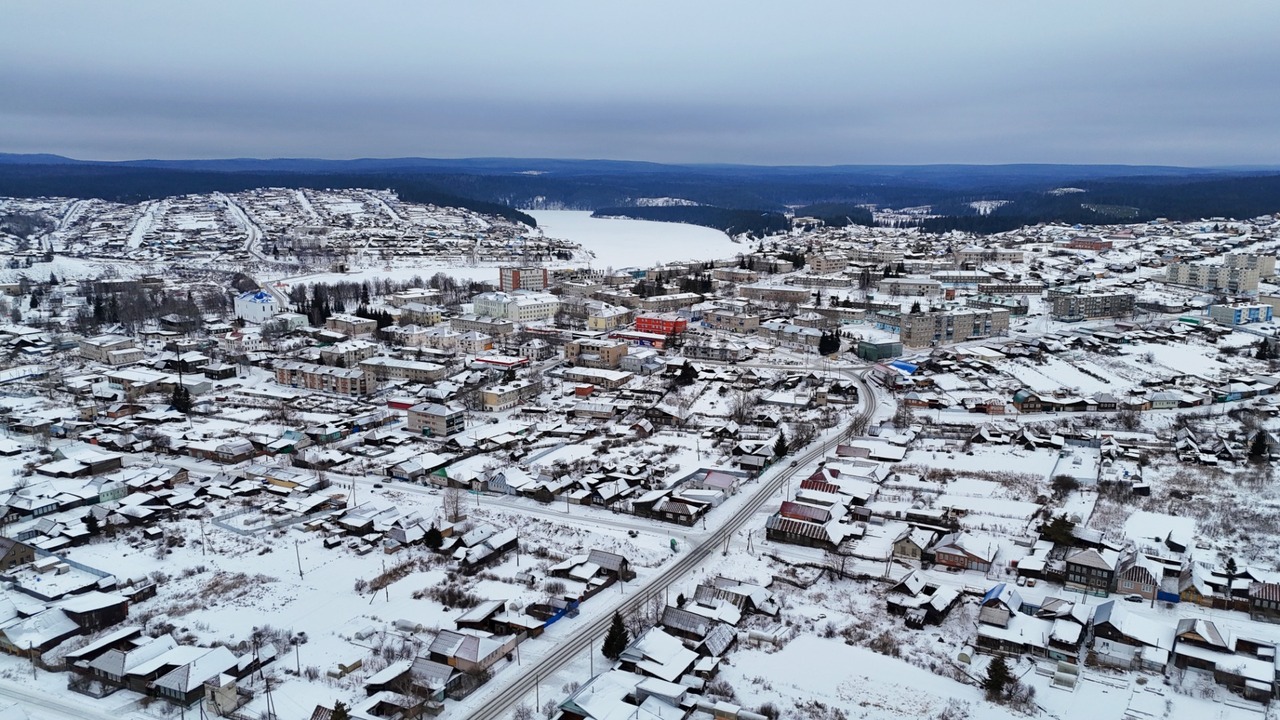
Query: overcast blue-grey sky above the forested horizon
x,y
700,81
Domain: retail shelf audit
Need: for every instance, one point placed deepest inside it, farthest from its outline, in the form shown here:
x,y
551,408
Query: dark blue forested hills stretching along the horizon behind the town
x,y
980,199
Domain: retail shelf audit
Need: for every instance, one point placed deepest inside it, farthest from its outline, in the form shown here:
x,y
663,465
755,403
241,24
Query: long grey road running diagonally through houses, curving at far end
x,y
505,699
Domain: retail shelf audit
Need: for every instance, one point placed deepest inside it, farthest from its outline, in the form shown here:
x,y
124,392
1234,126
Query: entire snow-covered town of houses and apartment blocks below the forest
x,y
326,455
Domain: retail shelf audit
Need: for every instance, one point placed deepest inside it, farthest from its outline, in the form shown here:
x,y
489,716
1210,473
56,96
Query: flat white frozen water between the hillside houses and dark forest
x,y
641,244
